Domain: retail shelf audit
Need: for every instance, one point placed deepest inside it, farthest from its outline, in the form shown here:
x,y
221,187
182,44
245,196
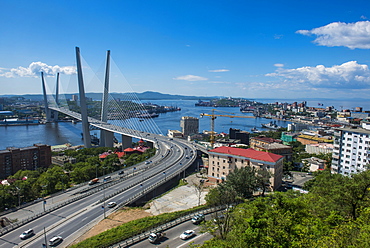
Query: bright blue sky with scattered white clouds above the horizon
x,y
249,49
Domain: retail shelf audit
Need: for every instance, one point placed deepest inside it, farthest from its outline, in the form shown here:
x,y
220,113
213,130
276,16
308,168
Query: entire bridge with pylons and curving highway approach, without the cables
x,y
78,212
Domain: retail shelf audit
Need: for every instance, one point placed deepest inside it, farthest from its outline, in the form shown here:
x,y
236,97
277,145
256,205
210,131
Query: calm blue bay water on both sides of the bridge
x,y
66,132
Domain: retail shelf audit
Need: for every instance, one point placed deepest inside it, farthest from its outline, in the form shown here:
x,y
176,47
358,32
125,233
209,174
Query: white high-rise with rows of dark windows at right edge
x,y
351,152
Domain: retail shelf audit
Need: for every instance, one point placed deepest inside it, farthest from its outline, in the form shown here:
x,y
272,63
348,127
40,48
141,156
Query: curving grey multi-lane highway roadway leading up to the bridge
x,y
72,220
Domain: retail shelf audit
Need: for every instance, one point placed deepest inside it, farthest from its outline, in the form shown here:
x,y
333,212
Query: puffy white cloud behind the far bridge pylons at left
x,y
34,69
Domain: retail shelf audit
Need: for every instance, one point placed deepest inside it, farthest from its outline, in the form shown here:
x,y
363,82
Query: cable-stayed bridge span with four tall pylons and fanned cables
x,y
130,117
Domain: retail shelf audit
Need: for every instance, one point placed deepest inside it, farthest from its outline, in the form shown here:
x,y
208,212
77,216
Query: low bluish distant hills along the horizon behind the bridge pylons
x,y
147,95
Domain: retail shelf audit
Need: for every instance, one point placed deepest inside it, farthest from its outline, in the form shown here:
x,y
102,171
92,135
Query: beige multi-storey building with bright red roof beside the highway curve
x,y
223,160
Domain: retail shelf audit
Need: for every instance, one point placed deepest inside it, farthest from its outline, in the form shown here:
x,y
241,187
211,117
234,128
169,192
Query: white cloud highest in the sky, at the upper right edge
x,y
351,35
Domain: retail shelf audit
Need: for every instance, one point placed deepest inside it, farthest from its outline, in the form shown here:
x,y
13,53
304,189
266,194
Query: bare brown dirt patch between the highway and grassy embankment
x,y
115,219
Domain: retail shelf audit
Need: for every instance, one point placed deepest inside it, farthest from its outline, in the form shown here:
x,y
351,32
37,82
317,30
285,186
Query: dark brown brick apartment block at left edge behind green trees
x,y
27,158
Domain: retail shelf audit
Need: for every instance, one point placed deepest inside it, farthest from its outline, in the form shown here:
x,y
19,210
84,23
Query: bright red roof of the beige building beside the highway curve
x,y
248,153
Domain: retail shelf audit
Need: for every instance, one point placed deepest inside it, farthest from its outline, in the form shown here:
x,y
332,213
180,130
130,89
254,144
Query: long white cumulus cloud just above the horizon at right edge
x,y
349,75
